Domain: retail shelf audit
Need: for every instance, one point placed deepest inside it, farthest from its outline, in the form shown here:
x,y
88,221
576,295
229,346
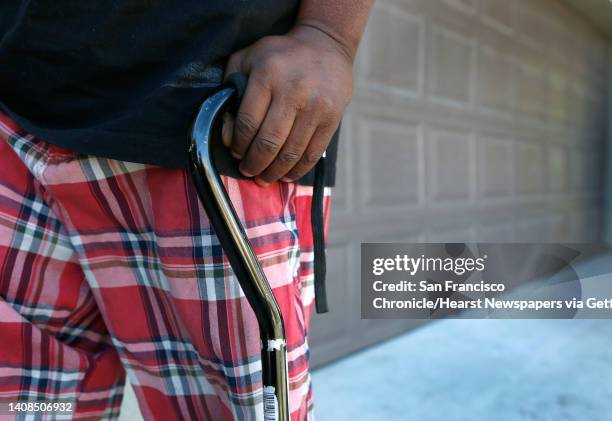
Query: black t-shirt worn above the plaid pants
x,y
123,78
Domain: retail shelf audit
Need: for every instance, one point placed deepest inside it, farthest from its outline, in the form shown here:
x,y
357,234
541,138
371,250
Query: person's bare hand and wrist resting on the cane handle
x,y
299,85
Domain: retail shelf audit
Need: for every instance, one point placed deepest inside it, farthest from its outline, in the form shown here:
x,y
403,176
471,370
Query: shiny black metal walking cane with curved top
x,y
204,140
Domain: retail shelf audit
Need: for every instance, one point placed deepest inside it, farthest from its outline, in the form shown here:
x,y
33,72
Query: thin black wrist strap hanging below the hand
x,y
318,236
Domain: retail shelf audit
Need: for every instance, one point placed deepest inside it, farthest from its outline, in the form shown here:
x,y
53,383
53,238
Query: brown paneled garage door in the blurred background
x,y
472,120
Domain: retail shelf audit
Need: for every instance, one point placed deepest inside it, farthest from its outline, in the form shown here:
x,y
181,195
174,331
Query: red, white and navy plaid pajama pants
x,y
108,267
